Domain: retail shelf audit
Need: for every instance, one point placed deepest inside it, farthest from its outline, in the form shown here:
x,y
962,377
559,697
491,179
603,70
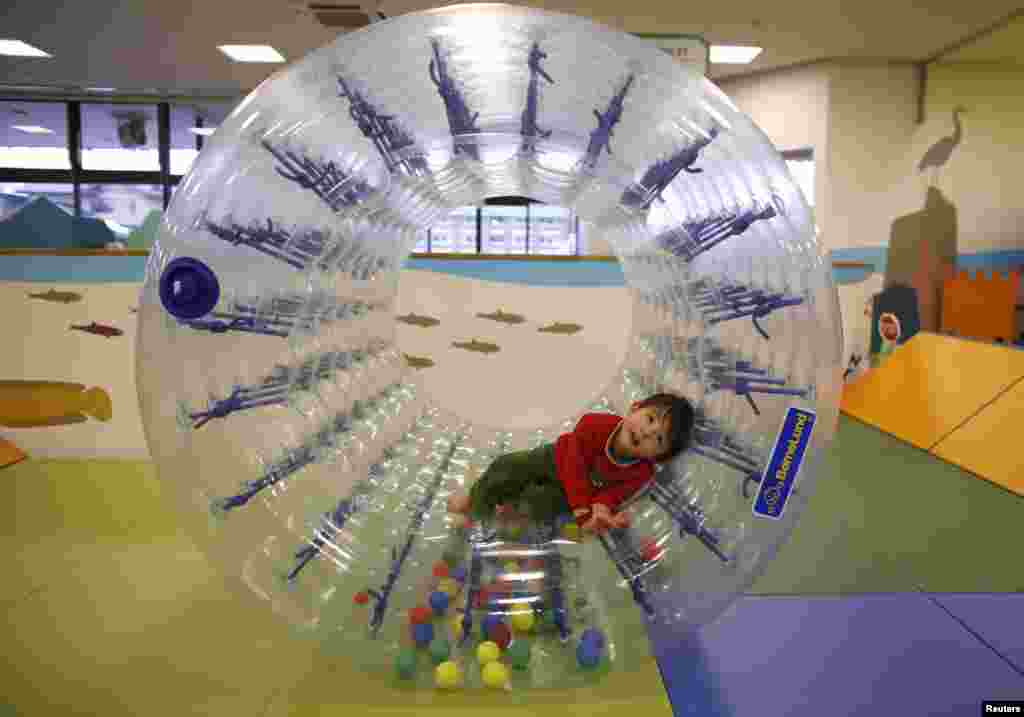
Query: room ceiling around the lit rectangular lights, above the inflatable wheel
x,y
156,47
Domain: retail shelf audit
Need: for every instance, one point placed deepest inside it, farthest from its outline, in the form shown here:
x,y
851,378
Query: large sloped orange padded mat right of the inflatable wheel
x,y
931,386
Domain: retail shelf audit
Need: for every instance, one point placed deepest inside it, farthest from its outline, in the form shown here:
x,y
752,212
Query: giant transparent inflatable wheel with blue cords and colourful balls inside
x,y
308,462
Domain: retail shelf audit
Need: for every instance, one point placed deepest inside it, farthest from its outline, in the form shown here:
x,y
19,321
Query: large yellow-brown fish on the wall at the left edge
x,y
39,404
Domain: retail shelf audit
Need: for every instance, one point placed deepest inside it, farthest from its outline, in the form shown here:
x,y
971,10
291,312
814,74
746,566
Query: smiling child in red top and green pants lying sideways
x,y
588,473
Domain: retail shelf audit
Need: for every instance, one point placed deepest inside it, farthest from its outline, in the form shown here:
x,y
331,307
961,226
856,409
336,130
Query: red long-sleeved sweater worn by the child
x,y
586,471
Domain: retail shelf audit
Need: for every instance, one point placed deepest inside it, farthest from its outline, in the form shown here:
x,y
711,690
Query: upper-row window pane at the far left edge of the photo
x,y
34,136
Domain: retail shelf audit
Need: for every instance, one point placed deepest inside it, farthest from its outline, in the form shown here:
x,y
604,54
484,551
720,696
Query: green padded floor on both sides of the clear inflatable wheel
x,y
111,611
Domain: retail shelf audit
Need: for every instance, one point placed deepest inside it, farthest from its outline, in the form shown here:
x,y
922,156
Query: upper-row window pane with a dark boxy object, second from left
x,y
120,138
